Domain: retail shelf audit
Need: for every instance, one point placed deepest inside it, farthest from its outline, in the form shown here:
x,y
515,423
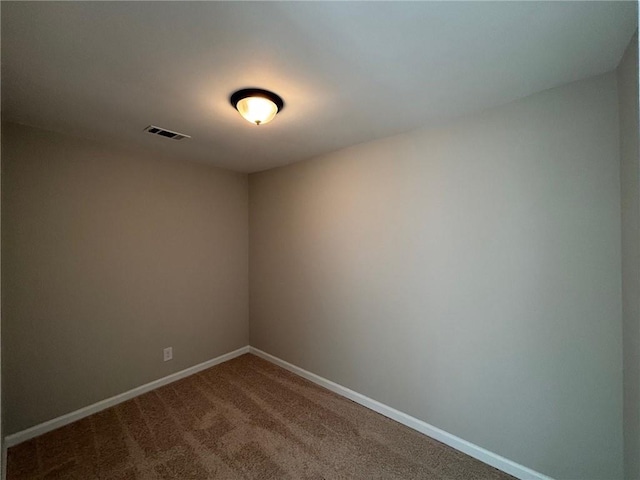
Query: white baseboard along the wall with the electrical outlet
x,y
29,433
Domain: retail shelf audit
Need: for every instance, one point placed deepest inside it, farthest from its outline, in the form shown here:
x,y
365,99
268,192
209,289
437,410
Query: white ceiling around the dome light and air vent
x,y
348,72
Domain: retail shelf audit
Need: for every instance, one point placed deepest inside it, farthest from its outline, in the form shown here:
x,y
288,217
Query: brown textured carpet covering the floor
x,y
244,419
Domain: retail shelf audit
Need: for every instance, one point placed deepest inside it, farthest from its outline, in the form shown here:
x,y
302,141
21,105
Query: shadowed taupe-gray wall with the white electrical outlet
x,y
107,257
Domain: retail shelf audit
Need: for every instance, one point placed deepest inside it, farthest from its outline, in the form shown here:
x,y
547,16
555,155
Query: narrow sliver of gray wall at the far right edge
x,y
630,178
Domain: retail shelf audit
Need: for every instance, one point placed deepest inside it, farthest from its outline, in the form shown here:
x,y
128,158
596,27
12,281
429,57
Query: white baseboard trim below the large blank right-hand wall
x,y
490,458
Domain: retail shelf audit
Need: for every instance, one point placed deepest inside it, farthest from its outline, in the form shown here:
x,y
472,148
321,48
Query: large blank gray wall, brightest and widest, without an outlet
x,y
469,276
